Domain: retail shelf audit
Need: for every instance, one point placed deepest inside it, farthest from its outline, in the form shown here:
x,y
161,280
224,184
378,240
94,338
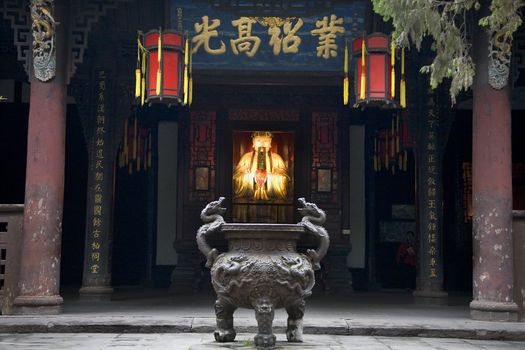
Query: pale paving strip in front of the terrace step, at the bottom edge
x,y
201,341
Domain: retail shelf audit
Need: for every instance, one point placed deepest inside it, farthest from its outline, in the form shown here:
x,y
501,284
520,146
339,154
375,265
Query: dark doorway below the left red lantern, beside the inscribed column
x,y
133,202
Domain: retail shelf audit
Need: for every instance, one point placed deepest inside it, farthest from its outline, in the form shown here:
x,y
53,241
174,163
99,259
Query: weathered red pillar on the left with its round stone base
x,y
39,279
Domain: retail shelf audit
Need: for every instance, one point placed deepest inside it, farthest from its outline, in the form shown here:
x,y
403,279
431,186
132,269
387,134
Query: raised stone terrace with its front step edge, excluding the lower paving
x,y
354,314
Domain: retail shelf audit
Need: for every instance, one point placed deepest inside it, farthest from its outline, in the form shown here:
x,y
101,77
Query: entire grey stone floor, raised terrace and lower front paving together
x,y
158,320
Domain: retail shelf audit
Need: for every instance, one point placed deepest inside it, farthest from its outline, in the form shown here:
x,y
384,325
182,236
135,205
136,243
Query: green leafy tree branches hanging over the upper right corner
x,y
445,22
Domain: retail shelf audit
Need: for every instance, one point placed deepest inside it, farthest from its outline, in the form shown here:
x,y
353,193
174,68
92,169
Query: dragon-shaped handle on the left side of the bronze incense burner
x,y
213,220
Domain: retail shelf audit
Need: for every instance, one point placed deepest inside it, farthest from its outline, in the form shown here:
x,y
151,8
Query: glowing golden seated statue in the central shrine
x,y
261,174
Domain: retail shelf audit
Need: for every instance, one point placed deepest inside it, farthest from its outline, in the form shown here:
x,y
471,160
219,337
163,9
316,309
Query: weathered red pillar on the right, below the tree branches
x,y
493,280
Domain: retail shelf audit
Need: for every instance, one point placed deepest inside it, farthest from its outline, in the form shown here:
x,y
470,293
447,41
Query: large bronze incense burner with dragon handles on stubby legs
x,y
262,270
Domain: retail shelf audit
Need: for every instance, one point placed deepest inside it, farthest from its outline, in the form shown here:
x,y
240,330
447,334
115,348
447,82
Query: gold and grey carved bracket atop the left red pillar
x,y
43,29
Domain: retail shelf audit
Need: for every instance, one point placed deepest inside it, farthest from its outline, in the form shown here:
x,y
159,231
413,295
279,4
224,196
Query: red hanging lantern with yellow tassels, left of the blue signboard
x,y
162,70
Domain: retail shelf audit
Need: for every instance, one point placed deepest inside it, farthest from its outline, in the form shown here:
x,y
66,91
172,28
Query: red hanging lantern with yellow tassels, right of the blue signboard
x,y
374,70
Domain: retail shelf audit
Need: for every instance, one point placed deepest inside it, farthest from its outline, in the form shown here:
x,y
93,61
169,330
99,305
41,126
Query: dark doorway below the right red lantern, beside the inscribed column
x,y
392,177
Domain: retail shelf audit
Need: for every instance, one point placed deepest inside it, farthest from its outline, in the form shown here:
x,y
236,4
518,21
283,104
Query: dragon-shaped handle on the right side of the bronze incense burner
x,y
313,218
